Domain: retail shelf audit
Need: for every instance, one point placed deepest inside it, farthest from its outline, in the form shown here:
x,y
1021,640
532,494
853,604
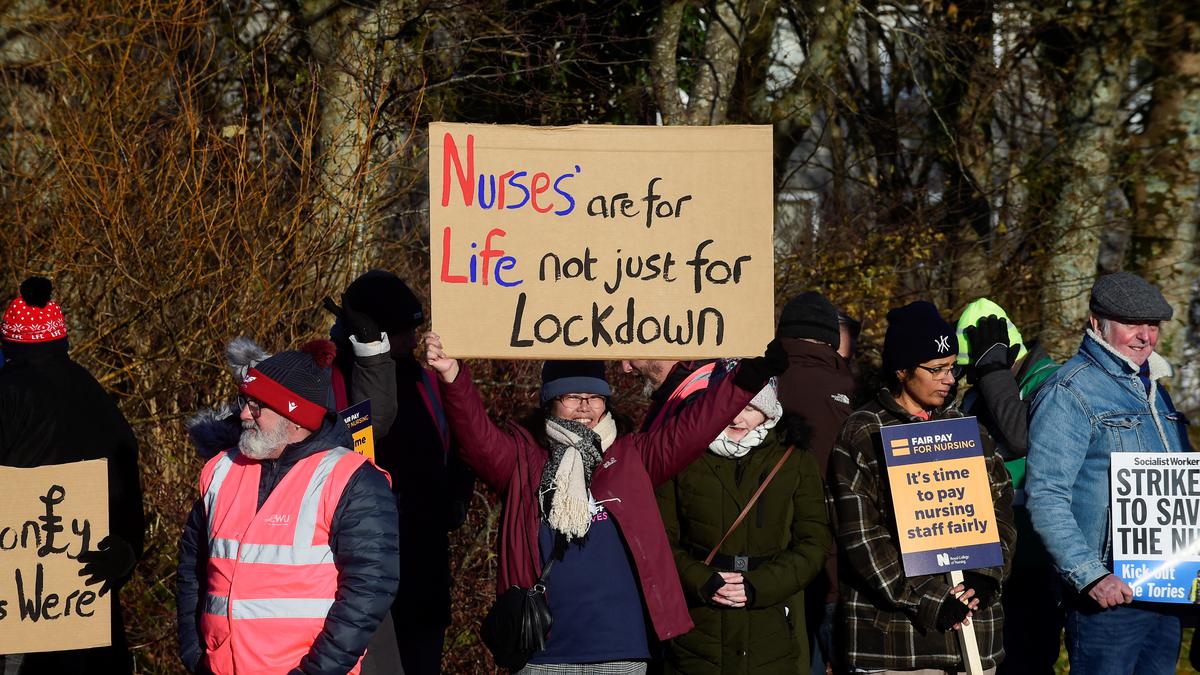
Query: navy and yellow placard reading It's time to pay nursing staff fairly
x,y
943,497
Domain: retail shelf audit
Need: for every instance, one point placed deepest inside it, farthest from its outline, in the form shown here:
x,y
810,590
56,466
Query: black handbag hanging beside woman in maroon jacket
x,y
519,622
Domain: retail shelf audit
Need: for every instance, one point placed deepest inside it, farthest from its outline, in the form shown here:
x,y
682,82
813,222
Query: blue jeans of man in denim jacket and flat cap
x,y
1123,641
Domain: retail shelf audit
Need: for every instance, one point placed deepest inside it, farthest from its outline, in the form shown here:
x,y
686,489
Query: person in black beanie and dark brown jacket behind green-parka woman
x,y
818,387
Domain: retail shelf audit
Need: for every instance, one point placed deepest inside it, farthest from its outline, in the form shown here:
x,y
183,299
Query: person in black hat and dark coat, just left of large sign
x,y
377,322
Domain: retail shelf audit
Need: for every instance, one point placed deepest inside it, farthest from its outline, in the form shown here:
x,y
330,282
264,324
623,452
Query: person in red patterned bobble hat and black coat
x,y
53,411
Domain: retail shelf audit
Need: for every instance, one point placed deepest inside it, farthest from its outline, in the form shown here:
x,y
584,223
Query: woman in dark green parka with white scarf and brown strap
x,y
748,604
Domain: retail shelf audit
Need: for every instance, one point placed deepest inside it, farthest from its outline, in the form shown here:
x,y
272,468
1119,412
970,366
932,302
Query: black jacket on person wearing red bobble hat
x,y
53,411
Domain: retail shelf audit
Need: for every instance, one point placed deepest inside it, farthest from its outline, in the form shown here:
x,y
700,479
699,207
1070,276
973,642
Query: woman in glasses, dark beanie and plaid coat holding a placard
x,y
890,623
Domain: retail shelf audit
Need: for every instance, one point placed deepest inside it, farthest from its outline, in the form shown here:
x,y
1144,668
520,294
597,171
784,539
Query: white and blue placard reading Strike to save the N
x,y
1156,525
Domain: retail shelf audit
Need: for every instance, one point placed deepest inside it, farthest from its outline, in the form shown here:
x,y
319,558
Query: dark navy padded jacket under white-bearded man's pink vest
x,y
364,541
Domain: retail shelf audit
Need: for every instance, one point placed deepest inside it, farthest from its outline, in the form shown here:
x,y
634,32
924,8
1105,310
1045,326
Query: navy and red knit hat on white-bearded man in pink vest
x,y
293,385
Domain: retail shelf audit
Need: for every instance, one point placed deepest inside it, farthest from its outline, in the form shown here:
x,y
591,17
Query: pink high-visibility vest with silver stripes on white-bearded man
x,y
272,577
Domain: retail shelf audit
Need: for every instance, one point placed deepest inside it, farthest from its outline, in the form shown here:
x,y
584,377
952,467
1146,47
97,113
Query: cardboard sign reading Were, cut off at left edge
x,y
49,516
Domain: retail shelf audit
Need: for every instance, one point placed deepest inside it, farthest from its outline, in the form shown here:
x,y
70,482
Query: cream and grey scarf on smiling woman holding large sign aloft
x,y
575,451
